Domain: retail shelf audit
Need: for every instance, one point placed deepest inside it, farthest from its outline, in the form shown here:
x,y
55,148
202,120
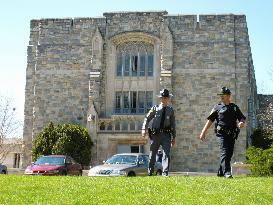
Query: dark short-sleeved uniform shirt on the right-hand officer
x,y
226,115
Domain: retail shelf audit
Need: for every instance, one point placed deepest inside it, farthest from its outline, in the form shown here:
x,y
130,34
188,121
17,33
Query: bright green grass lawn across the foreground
x,y
136,190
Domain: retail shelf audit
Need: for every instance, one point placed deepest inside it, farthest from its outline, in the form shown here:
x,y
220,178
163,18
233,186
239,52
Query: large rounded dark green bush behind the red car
x,y
66,139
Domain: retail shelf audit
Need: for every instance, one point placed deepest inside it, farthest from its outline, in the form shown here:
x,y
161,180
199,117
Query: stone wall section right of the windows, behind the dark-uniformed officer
x,y
208,55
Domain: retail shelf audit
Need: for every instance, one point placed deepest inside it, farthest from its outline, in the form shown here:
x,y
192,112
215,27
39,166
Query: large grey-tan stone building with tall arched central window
x,y
104,73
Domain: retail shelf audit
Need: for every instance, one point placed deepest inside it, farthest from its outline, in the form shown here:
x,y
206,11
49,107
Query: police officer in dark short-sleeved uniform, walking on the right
x,y
229,119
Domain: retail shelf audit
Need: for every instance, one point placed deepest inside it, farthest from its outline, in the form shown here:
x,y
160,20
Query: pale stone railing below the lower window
x,y
121,123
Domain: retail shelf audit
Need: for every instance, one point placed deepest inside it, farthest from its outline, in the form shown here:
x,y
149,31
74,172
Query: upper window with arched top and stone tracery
x,y
135,59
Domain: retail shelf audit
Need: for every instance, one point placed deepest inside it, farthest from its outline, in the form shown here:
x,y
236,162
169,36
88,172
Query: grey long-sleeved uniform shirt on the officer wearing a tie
x,y
155,114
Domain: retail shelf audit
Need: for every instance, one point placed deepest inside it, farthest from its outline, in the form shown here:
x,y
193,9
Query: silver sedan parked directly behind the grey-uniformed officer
x,y
127,164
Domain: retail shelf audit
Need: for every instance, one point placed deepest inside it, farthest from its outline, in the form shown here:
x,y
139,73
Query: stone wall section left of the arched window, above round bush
x,y
59,62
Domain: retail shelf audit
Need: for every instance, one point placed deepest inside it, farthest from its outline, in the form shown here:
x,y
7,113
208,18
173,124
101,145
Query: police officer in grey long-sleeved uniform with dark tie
x,y
162,131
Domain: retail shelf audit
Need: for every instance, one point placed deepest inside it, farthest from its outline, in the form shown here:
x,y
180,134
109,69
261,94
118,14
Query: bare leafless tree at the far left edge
x,y
9,127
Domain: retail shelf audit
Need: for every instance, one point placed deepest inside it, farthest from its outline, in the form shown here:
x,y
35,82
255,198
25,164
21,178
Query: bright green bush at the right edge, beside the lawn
x,y
261,160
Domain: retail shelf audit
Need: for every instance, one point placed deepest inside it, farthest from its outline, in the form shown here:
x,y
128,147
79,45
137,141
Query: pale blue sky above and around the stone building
x,y
15,19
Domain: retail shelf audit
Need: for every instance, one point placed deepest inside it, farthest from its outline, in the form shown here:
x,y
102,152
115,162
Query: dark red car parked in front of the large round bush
x,y
54,165
